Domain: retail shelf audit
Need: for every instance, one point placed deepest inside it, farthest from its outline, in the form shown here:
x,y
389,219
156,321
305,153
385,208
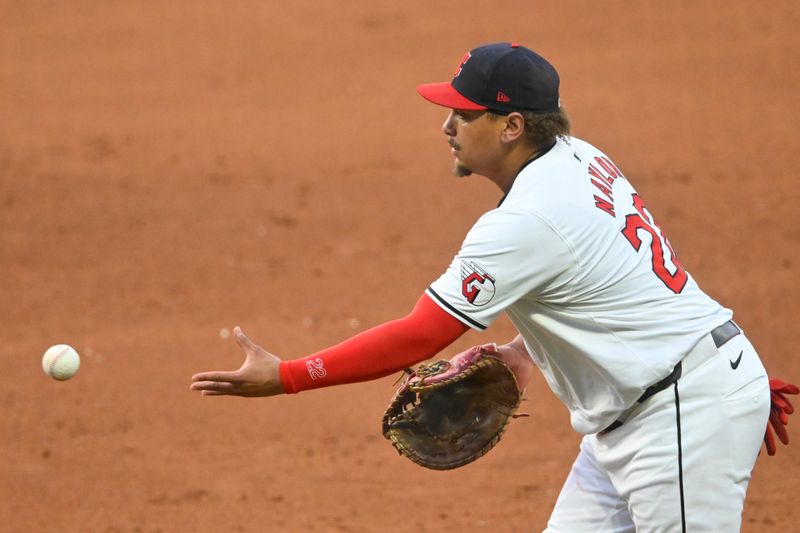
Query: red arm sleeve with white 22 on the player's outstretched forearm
x,y
376,352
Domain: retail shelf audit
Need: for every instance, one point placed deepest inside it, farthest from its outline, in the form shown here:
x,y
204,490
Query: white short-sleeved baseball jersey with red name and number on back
x,y
587,277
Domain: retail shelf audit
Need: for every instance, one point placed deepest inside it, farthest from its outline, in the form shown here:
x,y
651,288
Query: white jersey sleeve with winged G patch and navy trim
x,y
507,255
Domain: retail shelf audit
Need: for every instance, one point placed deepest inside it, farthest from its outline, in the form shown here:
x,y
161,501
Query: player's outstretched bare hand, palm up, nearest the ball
x,y
258,376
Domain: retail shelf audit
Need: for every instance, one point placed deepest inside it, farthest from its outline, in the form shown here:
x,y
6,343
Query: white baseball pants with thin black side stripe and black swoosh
x,y
682,461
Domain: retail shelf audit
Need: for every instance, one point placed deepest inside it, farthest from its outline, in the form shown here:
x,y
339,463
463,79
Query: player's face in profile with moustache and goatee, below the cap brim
x,y
475,141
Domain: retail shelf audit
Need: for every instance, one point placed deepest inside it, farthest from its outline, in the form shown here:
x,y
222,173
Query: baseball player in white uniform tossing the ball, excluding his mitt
x,y
671,397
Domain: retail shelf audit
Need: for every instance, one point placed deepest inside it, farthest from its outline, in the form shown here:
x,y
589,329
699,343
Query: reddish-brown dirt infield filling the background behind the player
x,y
168,170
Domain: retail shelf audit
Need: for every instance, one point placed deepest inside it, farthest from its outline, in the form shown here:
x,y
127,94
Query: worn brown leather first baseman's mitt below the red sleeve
x,y
449,413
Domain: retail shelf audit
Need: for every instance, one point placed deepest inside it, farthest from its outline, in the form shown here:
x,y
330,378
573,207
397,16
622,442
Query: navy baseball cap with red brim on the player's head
x,y
500,77
